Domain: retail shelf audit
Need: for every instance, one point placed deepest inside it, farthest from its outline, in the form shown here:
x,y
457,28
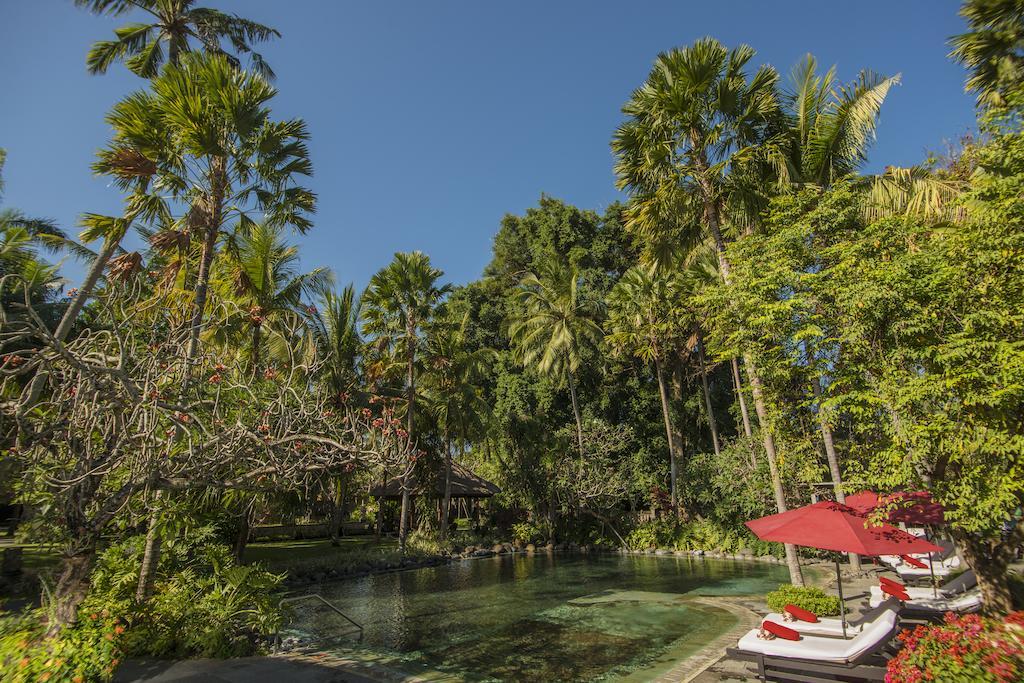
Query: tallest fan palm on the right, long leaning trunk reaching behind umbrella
x,y
692,131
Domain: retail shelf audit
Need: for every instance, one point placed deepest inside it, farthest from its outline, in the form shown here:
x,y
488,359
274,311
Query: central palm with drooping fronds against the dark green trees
x,y
554,327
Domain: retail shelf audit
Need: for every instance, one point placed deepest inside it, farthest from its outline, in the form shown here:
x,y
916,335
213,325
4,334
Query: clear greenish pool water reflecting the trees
x,y
536,618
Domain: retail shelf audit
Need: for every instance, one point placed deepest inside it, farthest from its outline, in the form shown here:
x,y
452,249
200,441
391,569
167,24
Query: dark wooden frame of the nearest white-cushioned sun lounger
x,y
869,667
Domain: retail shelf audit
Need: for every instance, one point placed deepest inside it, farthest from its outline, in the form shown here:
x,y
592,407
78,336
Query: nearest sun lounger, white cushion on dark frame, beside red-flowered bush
x,y
821,659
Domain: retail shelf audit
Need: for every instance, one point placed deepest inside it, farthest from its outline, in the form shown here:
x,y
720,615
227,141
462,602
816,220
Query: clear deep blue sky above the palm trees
x,y
433,120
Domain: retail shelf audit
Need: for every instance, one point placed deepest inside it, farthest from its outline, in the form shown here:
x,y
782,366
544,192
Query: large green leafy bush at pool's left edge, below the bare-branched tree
x,y
203,605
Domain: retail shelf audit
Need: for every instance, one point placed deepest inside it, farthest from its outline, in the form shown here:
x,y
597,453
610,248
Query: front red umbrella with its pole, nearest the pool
x,y
829,526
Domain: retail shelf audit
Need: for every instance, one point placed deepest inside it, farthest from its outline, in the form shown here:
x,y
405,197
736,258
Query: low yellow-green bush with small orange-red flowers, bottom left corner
x,y
89,651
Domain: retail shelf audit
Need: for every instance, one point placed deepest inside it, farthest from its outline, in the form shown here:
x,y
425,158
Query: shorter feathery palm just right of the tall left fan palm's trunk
x,y
262,275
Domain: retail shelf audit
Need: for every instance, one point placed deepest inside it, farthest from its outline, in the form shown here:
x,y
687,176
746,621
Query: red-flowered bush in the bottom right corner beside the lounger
x,y
965,649
